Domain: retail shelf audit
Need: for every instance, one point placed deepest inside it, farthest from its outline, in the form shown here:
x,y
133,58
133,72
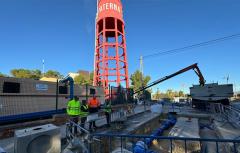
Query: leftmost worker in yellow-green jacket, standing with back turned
x,y
73,110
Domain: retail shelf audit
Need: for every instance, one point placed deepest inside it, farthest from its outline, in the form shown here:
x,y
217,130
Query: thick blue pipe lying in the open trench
x,y
142,146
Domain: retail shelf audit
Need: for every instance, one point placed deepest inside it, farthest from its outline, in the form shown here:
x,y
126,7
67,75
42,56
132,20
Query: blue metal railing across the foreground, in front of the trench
x,y
109,142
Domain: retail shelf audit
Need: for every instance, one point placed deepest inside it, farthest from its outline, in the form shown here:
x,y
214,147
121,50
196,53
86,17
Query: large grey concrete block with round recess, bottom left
x,y
40,139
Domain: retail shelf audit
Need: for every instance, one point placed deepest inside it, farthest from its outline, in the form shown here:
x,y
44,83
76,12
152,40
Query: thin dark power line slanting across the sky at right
x,y
177,50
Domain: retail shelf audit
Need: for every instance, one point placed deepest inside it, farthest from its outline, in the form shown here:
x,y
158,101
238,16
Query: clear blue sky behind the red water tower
x,y
62,33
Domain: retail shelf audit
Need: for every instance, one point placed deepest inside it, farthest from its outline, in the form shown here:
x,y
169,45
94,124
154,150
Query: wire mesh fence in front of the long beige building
x,y
28,99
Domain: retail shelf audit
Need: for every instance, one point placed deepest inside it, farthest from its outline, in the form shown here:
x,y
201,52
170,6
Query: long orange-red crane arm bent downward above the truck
x,y
191,67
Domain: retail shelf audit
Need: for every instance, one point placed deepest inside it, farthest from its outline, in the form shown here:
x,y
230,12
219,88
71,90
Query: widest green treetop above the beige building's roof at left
x,y
25,73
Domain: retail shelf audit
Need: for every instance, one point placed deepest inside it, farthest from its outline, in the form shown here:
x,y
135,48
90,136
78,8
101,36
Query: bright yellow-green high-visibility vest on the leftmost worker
x,y
73,108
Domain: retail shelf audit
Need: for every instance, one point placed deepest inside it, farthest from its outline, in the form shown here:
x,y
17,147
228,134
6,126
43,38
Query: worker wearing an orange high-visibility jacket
x,y
94,106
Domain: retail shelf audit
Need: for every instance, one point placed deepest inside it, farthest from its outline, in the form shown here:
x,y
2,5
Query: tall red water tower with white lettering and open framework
x,y
110,61
